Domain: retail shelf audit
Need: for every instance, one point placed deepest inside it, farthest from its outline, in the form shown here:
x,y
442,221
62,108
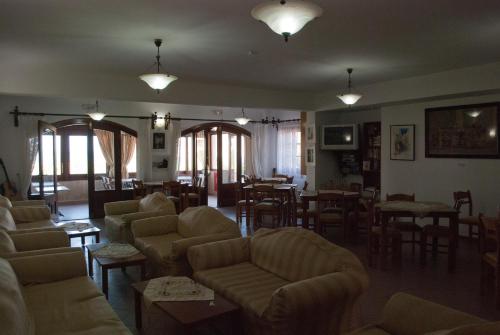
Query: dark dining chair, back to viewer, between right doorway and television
x,y
266,203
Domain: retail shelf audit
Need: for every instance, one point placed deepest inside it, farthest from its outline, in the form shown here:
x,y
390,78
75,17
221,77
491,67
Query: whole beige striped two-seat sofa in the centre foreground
x,y
287,281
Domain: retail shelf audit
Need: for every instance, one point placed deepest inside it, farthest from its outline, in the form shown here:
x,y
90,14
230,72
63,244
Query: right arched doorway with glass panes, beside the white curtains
x,y
219,152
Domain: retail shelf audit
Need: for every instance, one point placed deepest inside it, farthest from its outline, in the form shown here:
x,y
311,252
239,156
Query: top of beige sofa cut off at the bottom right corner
x,y
405,314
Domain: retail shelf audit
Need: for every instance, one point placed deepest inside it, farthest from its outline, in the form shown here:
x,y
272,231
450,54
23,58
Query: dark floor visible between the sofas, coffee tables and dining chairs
x,y
459,290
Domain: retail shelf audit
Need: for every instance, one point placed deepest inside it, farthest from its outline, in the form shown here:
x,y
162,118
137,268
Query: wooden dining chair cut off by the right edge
x,y
489,239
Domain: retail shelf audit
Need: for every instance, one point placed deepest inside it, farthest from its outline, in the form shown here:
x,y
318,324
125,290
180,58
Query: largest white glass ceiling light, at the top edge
x,y
286,17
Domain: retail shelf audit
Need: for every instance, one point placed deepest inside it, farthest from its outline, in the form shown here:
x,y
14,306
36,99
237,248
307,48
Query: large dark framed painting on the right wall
x,y
469,131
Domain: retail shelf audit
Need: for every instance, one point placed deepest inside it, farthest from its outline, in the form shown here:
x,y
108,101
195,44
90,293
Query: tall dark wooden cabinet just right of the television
x,y
371,154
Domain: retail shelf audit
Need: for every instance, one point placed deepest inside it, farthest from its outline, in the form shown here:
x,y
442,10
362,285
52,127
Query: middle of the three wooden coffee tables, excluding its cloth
x,y
113,263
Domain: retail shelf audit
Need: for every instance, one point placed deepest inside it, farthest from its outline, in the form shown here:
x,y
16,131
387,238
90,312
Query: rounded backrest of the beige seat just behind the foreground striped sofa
x,y
204,220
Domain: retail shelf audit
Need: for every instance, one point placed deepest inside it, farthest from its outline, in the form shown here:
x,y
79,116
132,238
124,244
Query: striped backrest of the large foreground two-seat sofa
x,y
296,254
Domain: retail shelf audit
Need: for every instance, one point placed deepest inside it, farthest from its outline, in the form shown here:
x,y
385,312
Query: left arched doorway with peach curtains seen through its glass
x,y
92,159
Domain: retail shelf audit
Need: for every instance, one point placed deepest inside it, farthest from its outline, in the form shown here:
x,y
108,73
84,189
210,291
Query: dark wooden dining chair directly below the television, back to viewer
x,y
325,217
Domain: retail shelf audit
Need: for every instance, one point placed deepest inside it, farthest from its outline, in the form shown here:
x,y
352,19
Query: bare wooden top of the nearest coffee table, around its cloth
x,y
191,312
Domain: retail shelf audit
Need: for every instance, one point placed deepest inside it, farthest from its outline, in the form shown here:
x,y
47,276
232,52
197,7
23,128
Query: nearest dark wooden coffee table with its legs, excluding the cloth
x,y
189,314
